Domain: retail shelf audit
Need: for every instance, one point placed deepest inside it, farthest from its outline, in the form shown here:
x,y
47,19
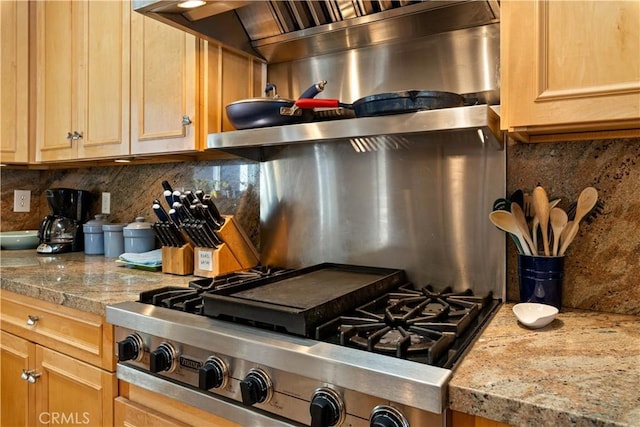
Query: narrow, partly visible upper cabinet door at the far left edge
x,y
14,84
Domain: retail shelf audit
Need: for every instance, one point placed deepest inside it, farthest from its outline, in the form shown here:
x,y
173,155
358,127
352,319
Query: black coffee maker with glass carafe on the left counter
x,y
61,231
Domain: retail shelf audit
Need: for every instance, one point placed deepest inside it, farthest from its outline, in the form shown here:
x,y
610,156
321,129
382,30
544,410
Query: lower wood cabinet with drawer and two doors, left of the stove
x,y
56,364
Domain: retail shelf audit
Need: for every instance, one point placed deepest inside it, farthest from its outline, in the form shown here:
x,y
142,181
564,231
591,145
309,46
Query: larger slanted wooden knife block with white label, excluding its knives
x,y
236,253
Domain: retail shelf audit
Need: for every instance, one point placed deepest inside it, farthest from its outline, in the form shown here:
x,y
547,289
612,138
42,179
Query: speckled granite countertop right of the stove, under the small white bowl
x,y
583,369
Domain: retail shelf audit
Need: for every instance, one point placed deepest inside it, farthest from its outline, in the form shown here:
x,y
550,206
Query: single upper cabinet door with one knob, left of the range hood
x,y
164,88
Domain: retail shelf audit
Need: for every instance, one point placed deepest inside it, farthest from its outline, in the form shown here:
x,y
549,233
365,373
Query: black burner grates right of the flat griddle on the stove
x,y
411,324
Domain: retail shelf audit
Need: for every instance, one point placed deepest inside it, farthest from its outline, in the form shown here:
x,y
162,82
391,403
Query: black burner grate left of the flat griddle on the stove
x,y
190,299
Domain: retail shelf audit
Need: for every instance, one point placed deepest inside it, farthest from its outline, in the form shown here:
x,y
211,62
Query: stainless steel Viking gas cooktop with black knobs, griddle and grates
x,y
342,338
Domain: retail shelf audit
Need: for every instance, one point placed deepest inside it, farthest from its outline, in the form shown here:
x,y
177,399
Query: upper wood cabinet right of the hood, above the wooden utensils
x,y
570,67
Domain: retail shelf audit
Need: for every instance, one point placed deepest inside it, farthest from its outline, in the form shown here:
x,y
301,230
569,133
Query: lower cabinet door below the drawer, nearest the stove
x,y
72,392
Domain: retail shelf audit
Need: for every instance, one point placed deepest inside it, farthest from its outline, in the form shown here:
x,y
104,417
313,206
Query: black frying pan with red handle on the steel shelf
x,y
408,101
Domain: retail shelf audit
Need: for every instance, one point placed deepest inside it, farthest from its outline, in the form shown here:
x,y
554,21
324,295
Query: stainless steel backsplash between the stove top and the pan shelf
x,y
421,206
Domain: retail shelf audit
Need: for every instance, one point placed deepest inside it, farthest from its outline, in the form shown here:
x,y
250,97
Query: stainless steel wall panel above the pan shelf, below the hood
x,y
463,61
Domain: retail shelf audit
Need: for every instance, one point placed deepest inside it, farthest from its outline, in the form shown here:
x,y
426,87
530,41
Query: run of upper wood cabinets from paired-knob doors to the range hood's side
x,y
112,83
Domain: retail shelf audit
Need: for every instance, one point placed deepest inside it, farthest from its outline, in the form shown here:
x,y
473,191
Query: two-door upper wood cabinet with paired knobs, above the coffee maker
x,y
82,81
